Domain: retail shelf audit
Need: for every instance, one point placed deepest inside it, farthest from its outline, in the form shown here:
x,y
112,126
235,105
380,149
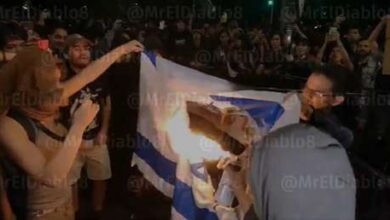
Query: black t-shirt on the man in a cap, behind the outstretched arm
x,y
97,91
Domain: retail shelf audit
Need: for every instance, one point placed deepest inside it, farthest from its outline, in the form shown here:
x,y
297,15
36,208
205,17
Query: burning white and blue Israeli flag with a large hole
x,y
170,155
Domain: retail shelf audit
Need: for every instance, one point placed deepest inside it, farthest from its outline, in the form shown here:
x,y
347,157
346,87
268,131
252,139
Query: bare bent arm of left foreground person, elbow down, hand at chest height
x,y
28,157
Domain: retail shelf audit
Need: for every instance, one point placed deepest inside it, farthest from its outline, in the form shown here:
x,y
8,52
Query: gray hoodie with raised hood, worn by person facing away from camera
x,y
302,173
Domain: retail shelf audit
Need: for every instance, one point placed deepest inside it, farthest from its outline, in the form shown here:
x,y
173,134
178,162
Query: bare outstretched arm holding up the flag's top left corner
x,y
97,68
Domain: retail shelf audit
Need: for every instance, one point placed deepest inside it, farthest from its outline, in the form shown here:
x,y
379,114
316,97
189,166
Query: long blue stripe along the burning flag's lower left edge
x,y
183,199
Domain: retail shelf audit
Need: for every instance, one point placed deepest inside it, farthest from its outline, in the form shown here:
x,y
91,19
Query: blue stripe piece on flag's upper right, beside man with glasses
x,y
265,113
